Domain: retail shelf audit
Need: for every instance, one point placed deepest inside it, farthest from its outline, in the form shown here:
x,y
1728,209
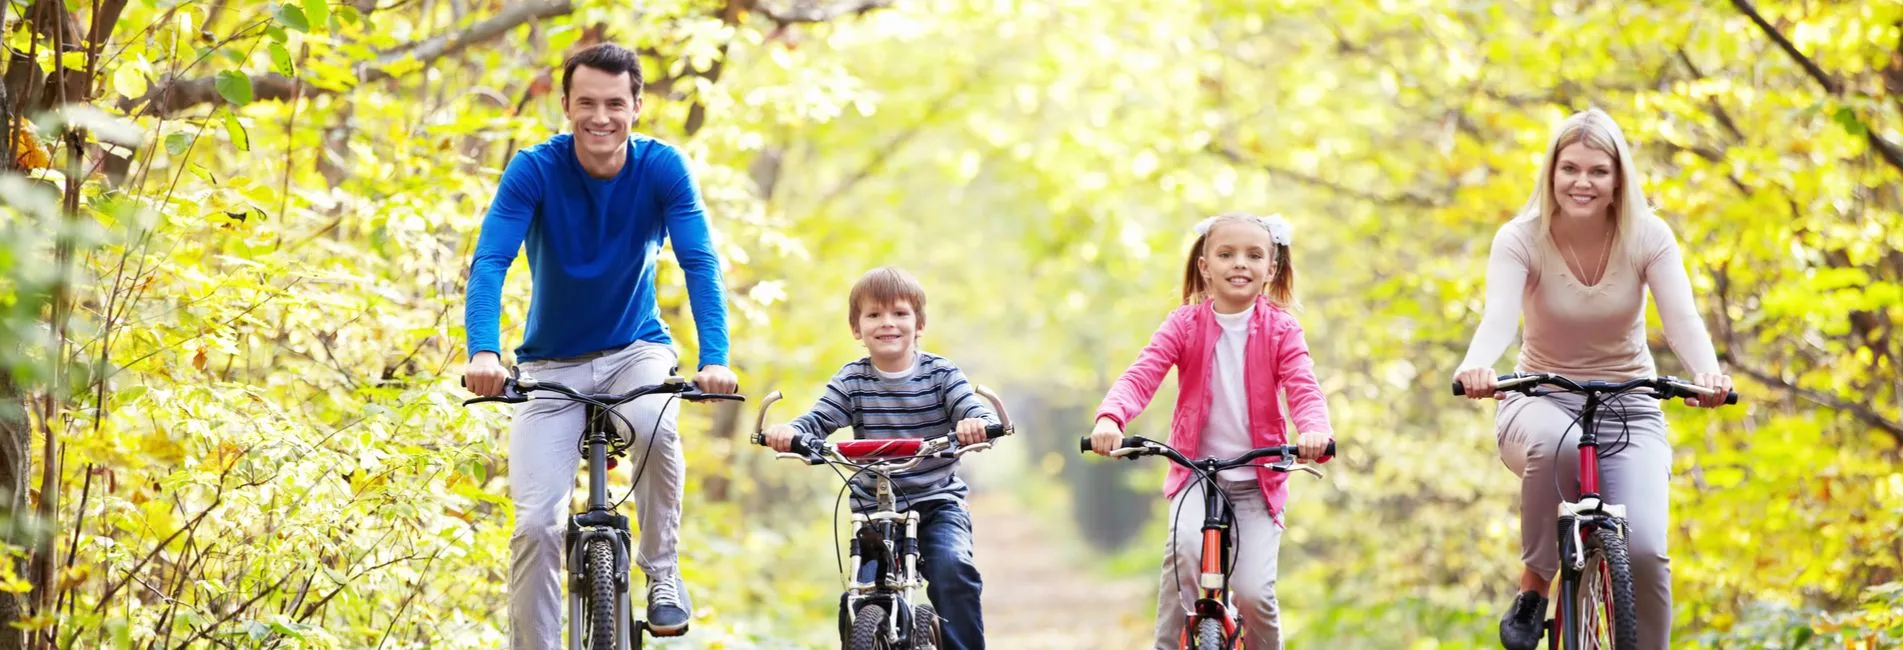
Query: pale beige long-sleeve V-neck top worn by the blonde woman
x,y
1586,332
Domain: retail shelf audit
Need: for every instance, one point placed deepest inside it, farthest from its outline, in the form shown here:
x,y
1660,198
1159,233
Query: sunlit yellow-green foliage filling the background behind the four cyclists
x,y
252,345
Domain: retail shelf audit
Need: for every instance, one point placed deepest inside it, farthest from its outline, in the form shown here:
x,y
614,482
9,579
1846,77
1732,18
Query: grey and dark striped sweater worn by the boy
x,y
928,400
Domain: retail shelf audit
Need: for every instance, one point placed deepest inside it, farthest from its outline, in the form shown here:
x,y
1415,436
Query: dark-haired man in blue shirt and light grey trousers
x,y
595,208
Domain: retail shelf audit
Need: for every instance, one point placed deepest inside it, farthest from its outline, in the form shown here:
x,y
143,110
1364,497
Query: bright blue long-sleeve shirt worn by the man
x,y
593,248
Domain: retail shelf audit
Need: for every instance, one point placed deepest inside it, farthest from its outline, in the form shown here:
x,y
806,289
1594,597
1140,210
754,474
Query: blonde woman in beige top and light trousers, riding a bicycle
x,y
1579,263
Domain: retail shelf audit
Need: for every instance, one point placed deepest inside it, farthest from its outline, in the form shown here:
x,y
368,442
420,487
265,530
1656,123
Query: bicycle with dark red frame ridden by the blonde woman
x,y
1596,569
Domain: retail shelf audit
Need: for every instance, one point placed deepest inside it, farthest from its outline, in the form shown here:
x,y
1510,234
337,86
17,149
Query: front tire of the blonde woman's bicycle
x,y
1609,577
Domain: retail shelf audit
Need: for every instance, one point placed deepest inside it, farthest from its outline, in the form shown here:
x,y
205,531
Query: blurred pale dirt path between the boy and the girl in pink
x,y
1036,594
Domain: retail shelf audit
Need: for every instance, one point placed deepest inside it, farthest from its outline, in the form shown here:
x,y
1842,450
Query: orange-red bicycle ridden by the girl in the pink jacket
x,y
1213,622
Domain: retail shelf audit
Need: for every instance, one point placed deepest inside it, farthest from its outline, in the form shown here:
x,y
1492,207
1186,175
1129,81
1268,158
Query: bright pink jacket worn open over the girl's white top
x,y
1188,341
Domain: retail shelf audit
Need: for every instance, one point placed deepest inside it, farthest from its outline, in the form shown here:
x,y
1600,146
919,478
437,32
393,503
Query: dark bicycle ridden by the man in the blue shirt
x,y
598,545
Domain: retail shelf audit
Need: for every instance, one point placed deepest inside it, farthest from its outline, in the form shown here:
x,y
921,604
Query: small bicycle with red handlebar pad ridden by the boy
x,y
878,613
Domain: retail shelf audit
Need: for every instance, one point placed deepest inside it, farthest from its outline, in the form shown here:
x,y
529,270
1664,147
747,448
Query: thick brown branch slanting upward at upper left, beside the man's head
x,y
271,86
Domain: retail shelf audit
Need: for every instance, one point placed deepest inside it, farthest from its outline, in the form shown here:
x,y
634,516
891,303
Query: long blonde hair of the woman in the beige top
x,y
1596,130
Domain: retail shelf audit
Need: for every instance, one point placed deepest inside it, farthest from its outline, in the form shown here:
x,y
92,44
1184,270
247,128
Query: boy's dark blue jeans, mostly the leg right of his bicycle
x,y
951,575
